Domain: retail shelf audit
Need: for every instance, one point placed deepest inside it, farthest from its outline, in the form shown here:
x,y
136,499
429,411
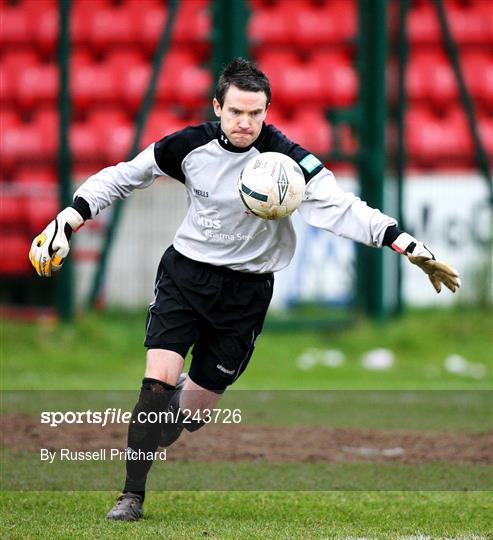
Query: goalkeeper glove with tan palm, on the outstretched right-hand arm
x,y
421,256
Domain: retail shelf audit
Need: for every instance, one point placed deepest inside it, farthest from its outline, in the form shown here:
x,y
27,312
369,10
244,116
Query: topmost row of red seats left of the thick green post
x,y
101,25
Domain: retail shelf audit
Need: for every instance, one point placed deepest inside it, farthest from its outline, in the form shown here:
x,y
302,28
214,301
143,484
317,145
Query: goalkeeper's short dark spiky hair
x,y
245,75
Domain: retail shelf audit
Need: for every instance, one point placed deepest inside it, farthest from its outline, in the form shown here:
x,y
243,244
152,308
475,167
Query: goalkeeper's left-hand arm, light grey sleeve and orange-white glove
x,y
50,248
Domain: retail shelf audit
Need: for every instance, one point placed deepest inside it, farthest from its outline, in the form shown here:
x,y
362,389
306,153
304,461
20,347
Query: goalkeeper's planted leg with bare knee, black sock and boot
x,y
162,372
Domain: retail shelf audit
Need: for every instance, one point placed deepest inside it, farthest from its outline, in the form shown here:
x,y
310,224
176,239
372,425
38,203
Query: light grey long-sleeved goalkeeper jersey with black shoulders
x,y
217,229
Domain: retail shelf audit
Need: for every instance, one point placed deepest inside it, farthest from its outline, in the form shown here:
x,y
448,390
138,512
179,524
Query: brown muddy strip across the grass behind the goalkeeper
x,y
241,442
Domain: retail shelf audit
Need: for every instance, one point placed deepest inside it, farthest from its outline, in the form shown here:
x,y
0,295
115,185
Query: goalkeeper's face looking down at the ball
x,y
242,115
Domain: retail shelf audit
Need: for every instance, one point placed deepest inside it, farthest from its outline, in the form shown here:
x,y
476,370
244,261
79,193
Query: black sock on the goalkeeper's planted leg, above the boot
x,y
144,435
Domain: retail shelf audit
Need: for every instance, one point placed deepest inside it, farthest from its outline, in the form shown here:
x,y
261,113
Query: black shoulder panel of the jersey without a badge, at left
x,y
171,150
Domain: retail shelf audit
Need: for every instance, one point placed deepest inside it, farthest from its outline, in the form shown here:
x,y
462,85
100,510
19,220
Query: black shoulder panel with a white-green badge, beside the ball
x,y
272,140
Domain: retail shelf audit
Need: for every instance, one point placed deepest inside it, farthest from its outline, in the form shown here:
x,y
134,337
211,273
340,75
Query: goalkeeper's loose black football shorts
x,y
217,310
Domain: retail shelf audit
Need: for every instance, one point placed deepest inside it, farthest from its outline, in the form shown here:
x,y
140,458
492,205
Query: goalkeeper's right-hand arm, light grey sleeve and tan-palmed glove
x,y
328,207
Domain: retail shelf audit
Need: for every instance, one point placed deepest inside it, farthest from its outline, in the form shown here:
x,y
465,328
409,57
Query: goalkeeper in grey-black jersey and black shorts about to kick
x,y
214,284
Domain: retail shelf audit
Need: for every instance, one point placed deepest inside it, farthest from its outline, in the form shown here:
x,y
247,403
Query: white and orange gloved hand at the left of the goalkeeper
x,y
49,249
